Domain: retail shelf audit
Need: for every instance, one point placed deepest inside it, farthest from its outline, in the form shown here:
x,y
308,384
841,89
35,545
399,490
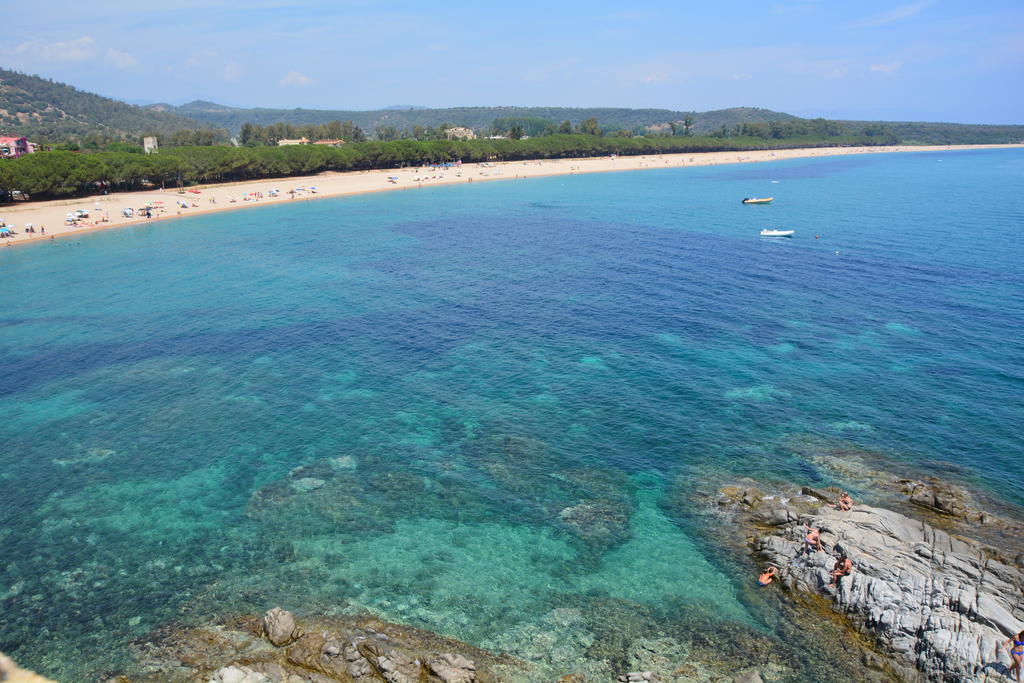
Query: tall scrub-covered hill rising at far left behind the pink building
x,y
41,109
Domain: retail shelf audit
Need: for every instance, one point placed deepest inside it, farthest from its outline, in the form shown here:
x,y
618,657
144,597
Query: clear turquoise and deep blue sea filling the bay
x,y
461,408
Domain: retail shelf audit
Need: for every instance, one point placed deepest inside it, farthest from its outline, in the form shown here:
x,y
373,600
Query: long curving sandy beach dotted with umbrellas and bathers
x,y
106,211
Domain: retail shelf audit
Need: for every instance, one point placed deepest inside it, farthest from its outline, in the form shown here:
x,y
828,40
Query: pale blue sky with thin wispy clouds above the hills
x,y
954,61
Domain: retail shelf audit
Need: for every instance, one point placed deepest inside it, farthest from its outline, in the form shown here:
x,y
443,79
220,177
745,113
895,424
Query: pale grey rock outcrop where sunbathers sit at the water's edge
x,y
936,604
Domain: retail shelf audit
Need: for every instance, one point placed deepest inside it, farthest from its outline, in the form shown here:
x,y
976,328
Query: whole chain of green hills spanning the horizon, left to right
x,y
45,110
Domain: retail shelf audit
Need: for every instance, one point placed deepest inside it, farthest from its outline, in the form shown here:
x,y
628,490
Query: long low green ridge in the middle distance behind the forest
x,y
474,117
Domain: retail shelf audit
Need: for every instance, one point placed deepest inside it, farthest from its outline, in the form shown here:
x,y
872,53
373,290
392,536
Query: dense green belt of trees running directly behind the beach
x,y
63,174
